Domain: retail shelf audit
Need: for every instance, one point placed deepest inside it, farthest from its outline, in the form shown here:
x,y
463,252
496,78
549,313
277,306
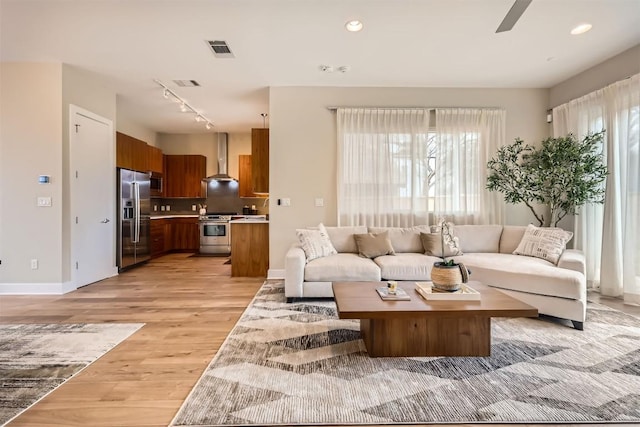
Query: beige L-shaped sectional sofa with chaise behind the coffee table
x,y
556,290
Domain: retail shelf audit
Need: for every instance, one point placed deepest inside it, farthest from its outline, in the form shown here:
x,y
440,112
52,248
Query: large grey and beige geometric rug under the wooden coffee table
x,y
299,364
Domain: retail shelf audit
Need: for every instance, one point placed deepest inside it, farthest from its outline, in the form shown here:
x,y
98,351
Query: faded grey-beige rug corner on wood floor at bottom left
x,y
35,359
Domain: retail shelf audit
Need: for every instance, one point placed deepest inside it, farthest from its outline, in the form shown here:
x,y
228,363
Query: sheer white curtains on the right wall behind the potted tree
x,y
618,108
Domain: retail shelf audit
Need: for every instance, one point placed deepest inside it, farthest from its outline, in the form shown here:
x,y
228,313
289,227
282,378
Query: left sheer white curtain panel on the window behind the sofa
x,y
379,183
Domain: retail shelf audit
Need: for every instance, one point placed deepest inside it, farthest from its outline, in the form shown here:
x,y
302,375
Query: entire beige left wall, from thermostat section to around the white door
x,y
34,140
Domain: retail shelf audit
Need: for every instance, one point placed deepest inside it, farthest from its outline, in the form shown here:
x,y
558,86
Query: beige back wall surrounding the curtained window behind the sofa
x,y
303,144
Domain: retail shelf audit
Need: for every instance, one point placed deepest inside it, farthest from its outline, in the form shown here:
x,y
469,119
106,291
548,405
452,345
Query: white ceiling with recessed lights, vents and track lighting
x,y
404,43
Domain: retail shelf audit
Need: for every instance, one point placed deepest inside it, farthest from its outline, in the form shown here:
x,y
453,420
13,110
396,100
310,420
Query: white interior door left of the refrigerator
x,y
92,197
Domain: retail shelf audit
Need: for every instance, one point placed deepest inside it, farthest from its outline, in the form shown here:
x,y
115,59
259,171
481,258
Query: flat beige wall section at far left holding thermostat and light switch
x,y
30,145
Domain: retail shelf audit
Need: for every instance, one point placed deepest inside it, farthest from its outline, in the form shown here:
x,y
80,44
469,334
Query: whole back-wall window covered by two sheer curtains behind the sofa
x,y
396,170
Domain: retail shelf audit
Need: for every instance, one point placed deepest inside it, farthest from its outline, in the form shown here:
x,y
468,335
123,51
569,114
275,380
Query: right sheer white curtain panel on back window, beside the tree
x,y
466,139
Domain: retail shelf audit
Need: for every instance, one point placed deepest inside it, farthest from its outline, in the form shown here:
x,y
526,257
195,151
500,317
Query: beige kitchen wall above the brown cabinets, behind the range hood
x,y
206,144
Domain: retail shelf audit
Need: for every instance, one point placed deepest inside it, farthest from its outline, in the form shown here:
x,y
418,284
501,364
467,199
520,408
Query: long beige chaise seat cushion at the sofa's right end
x,y
525,274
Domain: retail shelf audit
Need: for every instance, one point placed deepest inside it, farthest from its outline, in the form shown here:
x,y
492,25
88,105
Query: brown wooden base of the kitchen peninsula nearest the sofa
x,y
249,249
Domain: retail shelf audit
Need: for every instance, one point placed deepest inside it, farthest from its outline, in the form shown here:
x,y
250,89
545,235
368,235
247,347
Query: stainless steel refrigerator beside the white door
x,y
134,221
